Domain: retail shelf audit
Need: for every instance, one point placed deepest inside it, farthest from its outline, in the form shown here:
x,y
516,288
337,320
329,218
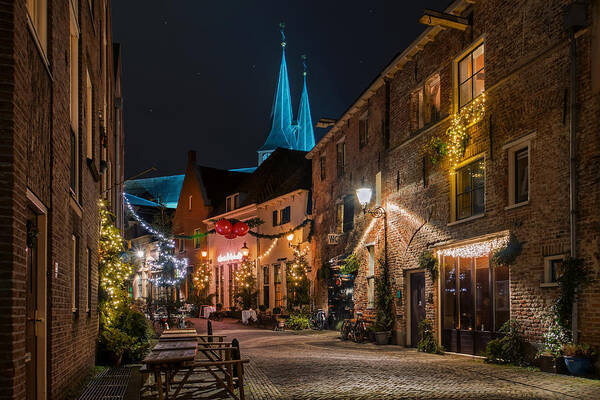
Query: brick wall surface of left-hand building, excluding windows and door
x,y
35,153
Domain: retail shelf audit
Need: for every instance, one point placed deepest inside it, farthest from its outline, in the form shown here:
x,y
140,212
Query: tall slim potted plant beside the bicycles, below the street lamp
x,y
384,303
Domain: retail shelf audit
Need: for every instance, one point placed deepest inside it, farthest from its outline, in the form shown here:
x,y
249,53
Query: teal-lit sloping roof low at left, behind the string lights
x,y
163,190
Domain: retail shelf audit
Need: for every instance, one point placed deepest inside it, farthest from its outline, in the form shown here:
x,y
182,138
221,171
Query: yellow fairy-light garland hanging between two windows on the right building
x,y
457,133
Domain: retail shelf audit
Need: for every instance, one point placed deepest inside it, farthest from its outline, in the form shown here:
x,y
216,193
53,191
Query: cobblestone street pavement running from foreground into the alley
x,y
317,365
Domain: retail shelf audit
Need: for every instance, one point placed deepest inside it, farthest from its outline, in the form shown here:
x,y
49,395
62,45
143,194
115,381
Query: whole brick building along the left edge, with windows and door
x,y
62,136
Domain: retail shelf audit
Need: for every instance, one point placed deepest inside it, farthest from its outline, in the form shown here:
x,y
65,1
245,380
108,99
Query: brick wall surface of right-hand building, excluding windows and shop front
x,y
527,78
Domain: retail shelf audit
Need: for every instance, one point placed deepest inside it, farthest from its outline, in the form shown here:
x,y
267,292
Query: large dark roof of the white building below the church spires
x,y
285,171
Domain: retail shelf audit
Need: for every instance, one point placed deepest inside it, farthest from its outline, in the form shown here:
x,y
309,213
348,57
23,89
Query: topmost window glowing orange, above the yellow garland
x,y
471,76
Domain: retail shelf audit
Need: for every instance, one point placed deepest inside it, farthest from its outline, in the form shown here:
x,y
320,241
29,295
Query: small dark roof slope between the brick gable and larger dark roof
x,y
216,184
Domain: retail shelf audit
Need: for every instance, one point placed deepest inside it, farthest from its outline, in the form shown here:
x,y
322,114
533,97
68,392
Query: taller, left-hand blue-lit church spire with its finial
x,y
282,131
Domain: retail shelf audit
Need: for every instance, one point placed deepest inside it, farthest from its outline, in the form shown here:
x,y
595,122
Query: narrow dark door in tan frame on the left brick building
x,y
31,301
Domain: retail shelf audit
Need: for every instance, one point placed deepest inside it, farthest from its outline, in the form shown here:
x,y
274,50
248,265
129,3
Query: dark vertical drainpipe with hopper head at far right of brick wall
x,y
575,18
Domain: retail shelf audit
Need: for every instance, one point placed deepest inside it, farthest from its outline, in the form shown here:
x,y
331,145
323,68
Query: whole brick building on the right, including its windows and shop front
x,y
524,80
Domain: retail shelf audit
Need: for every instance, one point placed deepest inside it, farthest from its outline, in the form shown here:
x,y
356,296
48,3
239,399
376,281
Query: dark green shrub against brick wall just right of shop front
x,y
509,348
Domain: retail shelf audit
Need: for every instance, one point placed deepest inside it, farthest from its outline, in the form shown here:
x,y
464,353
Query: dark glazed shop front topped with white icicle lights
x,y
475,296
